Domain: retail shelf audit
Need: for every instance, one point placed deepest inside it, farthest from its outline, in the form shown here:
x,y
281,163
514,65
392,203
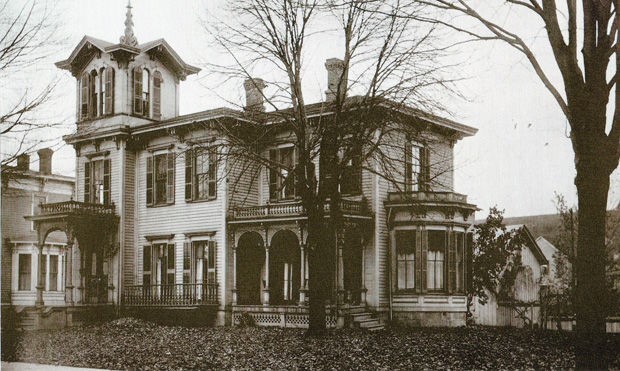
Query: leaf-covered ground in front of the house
x,y
133,344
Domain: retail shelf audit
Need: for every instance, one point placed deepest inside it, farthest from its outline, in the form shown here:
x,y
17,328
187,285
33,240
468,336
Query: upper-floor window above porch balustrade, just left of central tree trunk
x,y
281,173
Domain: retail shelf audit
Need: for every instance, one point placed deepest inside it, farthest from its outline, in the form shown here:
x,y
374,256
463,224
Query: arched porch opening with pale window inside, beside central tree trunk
x,y
284,268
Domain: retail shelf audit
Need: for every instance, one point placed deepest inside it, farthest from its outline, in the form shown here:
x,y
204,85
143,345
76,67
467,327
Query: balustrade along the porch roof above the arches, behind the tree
x,y
347,207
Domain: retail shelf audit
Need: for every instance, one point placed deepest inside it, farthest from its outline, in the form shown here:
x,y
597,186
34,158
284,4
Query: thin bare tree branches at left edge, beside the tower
x,y
28,36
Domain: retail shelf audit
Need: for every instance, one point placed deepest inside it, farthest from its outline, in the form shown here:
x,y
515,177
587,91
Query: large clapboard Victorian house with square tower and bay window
x,y
157,224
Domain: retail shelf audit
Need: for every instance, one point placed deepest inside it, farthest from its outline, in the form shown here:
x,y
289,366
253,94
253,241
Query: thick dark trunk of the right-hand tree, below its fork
x,y
591,299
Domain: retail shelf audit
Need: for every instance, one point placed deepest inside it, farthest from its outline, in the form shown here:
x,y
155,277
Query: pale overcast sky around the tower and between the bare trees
x,y
519,158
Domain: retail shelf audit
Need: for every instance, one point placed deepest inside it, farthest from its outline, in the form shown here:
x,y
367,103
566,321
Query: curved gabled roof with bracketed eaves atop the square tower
x,y
89,47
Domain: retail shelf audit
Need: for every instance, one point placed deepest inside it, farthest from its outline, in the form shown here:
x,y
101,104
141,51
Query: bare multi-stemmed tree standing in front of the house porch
x,y
389,70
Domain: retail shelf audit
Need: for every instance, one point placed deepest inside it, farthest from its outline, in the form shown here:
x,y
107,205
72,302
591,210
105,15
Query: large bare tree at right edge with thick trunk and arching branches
x,y
584,98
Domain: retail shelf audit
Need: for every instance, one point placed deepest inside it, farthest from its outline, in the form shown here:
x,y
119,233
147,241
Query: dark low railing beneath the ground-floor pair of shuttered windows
x,y
182,294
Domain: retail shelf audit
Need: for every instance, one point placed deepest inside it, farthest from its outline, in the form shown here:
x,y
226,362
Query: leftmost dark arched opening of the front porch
x,y
250,261
